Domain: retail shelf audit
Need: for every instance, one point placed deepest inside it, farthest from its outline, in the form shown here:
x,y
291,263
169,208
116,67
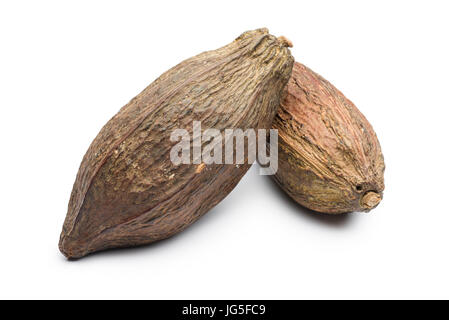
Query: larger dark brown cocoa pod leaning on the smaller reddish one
x,y
127,191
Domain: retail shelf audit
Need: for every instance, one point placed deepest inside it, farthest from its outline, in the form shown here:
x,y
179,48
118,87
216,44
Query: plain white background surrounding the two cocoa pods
x,y
67,67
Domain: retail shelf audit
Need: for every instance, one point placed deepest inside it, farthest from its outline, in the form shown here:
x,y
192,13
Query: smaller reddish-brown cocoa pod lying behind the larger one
x,y
330,160
